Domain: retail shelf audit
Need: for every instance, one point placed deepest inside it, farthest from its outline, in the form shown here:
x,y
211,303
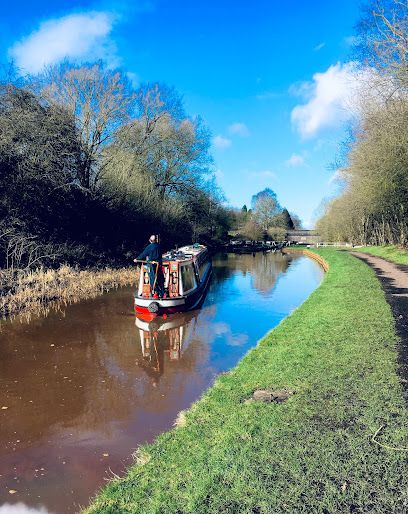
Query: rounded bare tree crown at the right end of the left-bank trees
x,y
163,148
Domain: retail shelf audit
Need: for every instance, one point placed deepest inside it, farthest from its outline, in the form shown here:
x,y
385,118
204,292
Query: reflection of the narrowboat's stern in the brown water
x,y
164,340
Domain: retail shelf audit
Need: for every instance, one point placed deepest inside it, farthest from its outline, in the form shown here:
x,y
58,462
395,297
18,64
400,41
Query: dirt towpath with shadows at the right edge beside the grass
x,y
394,280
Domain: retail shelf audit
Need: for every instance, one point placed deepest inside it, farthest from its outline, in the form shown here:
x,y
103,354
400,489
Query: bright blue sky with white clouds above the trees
x,y
269,77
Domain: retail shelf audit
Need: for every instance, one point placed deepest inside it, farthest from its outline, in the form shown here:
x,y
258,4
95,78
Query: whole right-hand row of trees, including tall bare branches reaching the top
x,y
373,205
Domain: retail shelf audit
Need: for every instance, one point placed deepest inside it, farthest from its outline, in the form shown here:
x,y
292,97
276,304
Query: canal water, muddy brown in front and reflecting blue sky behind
x,y
81,388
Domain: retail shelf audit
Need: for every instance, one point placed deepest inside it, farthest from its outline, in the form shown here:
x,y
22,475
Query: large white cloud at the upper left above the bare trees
x,y
76,37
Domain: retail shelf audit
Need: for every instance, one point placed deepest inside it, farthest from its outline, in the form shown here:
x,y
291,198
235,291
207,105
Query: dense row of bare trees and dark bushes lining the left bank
x,y
89,167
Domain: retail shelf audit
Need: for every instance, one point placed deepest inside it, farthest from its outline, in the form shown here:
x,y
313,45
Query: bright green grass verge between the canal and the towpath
x,y
311,454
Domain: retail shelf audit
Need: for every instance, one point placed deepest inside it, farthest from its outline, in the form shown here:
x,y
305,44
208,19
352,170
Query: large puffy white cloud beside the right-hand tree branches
x,y
329,99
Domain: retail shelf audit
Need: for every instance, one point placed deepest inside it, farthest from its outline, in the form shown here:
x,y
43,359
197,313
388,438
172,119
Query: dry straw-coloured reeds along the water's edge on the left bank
x,y
32,292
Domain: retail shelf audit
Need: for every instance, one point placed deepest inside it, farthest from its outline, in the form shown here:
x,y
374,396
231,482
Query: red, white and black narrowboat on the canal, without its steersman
x,y
186,274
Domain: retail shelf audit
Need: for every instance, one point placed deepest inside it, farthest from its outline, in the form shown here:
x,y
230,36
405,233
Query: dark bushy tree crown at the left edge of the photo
x,y
39,150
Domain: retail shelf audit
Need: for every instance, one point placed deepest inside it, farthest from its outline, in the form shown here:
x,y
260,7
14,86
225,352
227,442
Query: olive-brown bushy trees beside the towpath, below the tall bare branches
x,y
373,205
